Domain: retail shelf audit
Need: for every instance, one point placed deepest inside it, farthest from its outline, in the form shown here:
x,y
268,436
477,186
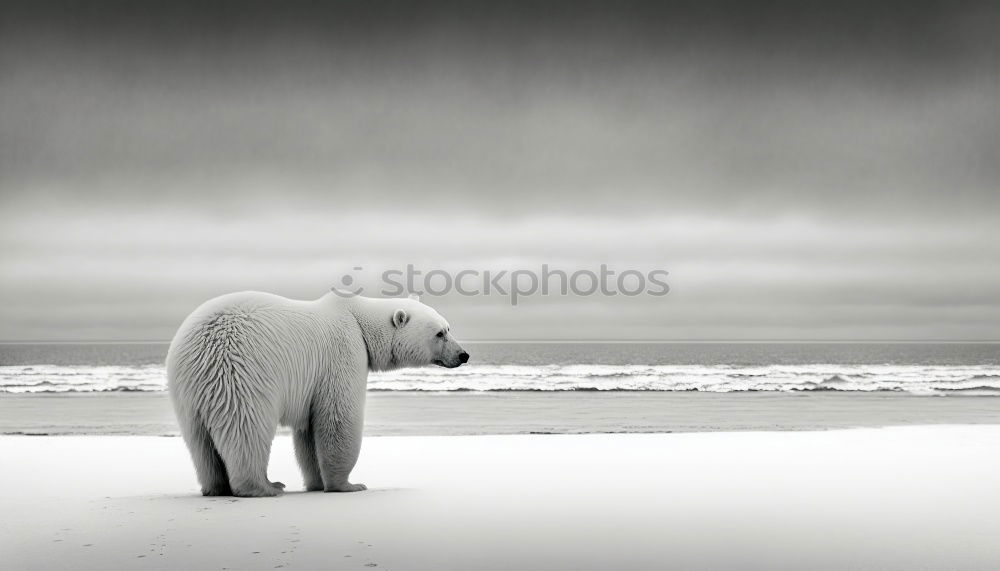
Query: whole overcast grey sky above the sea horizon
x,y
803,170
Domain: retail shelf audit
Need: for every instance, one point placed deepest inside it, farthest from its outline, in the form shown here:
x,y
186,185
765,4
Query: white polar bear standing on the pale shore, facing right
x,y
244,363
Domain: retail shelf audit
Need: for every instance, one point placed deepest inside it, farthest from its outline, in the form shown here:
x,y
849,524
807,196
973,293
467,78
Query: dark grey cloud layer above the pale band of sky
x,y
646,105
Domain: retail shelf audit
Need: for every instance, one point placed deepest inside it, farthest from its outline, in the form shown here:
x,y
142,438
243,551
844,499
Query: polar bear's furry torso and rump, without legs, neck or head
x,y
254,354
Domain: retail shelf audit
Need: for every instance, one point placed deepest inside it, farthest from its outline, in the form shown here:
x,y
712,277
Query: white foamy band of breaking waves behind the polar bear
x,y
916,379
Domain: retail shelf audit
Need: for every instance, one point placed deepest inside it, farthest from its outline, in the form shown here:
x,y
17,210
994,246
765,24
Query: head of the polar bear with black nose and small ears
x,y
423,337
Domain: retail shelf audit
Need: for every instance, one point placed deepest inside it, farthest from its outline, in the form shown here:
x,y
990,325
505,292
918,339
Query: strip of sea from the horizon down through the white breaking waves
x,y
922,369
